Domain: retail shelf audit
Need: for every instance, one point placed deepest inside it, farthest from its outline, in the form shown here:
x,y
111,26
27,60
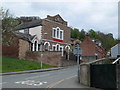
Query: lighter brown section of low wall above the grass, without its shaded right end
x,y
51,58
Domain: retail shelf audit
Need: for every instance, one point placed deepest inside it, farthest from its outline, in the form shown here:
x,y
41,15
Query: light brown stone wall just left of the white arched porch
x,y
23,48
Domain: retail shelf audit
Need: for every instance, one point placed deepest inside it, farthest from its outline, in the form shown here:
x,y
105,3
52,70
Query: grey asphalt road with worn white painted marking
x,y
64,78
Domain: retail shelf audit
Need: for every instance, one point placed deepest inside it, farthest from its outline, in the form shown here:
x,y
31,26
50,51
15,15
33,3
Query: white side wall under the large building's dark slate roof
x,y
36,31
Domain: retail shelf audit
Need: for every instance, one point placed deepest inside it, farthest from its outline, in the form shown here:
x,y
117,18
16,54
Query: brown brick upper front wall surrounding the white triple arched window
x,y
48,29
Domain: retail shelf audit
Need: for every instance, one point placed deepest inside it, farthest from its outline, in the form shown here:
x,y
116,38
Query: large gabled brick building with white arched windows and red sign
x,y
53,32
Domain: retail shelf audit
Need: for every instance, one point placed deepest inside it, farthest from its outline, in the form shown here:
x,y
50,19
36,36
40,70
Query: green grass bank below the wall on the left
x,y
13,64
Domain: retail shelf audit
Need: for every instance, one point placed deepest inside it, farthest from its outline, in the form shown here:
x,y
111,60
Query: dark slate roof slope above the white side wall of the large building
x,y
29,24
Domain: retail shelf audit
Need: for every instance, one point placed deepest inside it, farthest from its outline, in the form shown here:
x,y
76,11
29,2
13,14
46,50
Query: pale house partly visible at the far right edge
x,y
115,50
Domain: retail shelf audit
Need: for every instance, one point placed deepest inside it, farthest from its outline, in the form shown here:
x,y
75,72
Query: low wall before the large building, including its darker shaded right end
x,y
51,58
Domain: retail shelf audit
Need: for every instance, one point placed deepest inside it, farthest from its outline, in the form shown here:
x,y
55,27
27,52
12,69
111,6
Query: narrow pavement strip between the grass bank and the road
x,y
31,71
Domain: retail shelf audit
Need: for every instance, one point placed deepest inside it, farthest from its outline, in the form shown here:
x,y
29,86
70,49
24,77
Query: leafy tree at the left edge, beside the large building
x,y
8,25
